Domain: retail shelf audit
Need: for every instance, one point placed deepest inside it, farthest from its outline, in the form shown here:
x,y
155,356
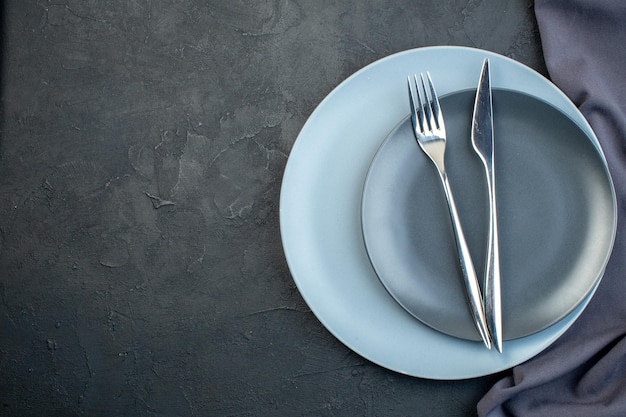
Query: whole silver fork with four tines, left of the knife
x,y
430,133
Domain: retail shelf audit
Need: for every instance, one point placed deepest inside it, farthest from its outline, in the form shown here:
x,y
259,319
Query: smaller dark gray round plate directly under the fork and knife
x,y
556,216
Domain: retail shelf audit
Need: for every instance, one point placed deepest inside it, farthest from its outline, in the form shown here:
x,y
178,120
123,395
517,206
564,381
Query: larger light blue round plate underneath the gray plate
x,y
320,220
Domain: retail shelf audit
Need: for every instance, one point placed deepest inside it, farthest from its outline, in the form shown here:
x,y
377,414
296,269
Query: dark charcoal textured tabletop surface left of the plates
x,y
141,154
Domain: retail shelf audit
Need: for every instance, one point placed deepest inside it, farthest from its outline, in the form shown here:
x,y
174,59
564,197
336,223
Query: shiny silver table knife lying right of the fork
x,y
483,143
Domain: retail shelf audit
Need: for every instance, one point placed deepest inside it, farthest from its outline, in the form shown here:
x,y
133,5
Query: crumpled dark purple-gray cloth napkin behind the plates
x,y
584,372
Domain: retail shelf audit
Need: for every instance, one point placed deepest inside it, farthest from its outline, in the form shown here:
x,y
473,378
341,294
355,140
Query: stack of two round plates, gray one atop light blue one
x,y
366,231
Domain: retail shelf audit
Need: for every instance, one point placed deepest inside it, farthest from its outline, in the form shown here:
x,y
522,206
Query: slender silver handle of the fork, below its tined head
x,y
474,296
